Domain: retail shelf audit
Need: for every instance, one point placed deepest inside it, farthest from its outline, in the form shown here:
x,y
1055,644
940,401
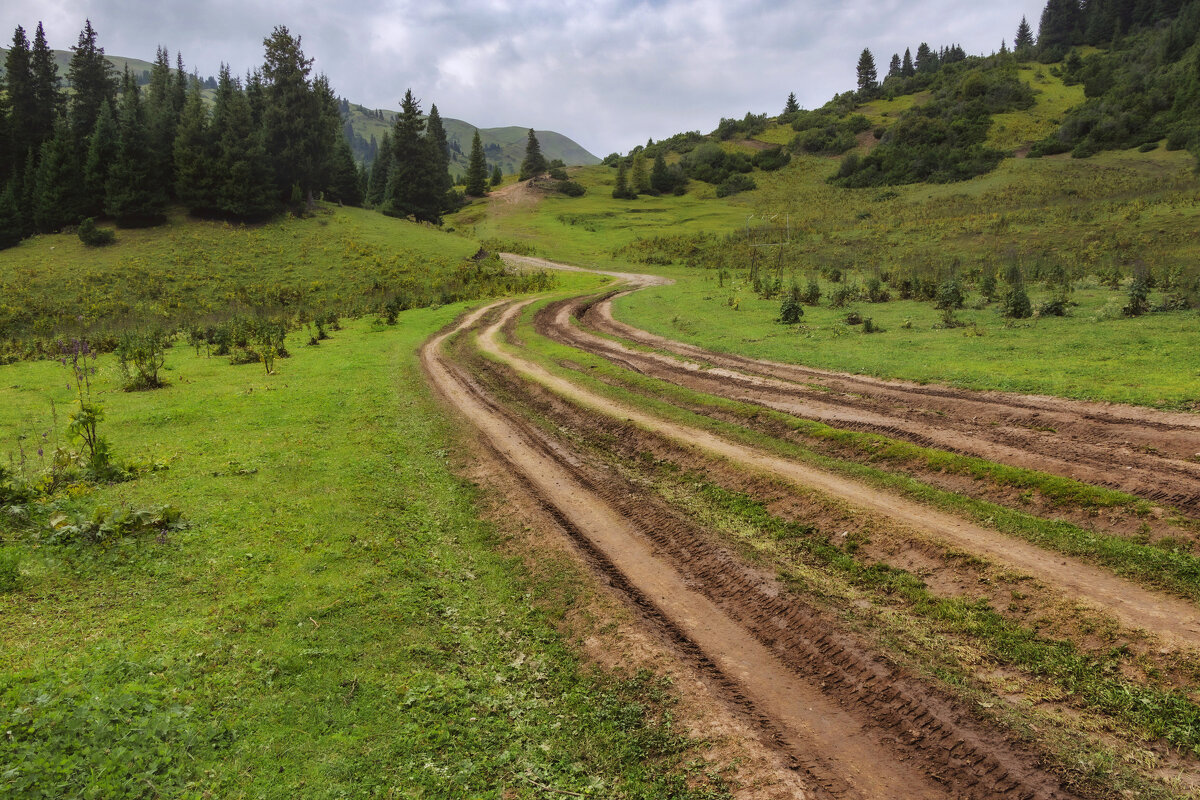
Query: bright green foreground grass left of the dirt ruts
x,y
335,622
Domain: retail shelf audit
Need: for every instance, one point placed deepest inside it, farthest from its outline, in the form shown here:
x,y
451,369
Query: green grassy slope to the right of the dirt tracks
x,y
1089,215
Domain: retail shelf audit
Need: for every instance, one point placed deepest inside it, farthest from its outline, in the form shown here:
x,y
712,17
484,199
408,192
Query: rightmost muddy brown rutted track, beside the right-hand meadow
x,y
1150,454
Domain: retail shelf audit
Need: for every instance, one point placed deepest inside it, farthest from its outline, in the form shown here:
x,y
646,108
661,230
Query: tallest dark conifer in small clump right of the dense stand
x,y
413,185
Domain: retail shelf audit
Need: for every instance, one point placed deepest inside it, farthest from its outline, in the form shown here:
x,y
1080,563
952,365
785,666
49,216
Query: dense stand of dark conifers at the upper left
x,y
113,148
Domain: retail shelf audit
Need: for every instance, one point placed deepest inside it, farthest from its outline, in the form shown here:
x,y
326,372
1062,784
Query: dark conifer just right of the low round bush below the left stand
x,y
134,196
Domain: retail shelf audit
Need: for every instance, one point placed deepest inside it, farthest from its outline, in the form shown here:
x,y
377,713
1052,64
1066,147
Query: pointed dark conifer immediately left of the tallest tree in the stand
x,y
243,181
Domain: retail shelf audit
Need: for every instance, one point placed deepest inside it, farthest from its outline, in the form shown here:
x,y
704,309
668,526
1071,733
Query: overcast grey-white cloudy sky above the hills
x,y
609,74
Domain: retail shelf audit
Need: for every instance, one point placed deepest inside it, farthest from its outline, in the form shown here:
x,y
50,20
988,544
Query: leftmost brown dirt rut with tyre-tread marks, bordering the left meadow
x,y
855,726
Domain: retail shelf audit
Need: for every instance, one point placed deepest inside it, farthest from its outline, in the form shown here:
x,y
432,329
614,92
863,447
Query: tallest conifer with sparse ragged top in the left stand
x,y
295,124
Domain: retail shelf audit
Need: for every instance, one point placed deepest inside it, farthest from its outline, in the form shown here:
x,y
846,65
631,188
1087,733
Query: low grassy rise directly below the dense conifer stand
x,y
52,285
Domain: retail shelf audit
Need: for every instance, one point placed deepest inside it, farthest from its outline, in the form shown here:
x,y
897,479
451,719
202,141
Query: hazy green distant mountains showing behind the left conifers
x,y
503,147
